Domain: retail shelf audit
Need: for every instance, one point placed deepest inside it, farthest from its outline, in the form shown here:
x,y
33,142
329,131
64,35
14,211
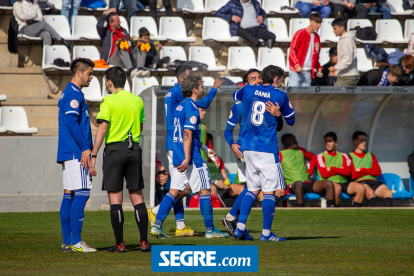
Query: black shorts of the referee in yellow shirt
x,y
119,162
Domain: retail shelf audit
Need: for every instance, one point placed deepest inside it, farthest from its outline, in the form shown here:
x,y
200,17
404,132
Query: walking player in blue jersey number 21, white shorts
x,y
188,165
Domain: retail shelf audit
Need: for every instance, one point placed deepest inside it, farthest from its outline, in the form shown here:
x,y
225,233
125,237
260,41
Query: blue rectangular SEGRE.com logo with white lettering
x,y
205,258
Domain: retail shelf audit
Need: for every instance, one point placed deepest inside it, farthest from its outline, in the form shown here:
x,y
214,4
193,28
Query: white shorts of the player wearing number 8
x,y
262,172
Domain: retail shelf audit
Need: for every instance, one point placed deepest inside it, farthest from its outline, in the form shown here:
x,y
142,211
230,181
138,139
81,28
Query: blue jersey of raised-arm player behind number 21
x,y
171,101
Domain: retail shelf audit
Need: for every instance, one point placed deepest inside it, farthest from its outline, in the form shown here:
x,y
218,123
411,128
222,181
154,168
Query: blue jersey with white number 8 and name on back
x,y
260,127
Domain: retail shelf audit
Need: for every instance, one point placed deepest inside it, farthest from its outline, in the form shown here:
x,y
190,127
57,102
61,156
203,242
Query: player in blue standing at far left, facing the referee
x,y
74,149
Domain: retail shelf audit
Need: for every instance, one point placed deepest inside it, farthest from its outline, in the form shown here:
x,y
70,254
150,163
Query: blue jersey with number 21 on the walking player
x,y
187,116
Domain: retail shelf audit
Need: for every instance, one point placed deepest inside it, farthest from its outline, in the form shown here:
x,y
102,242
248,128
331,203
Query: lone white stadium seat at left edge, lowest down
x,y
14,119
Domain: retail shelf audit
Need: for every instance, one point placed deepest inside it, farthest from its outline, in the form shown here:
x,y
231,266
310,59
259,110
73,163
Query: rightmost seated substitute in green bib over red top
x,y
365,170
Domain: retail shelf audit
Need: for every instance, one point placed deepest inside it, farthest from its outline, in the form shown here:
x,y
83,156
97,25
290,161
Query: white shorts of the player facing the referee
x,y
75,176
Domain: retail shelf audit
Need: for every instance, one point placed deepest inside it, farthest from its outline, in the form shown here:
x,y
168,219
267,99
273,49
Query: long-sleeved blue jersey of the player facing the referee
x,y
76,138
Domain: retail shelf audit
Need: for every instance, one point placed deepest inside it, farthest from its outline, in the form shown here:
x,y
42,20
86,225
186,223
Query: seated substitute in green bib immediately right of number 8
x,y
292,159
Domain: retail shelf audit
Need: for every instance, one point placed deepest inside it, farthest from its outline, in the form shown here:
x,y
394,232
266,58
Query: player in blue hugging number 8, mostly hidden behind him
x,y
252,77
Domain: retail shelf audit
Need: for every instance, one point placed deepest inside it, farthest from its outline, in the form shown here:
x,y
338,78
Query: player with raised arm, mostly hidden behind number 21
x,y
171,101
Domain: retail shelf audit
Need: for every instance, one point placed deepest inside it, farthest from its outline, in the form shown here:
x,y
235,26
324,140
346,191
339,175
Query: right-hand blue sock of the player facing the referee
x,y
77,214
